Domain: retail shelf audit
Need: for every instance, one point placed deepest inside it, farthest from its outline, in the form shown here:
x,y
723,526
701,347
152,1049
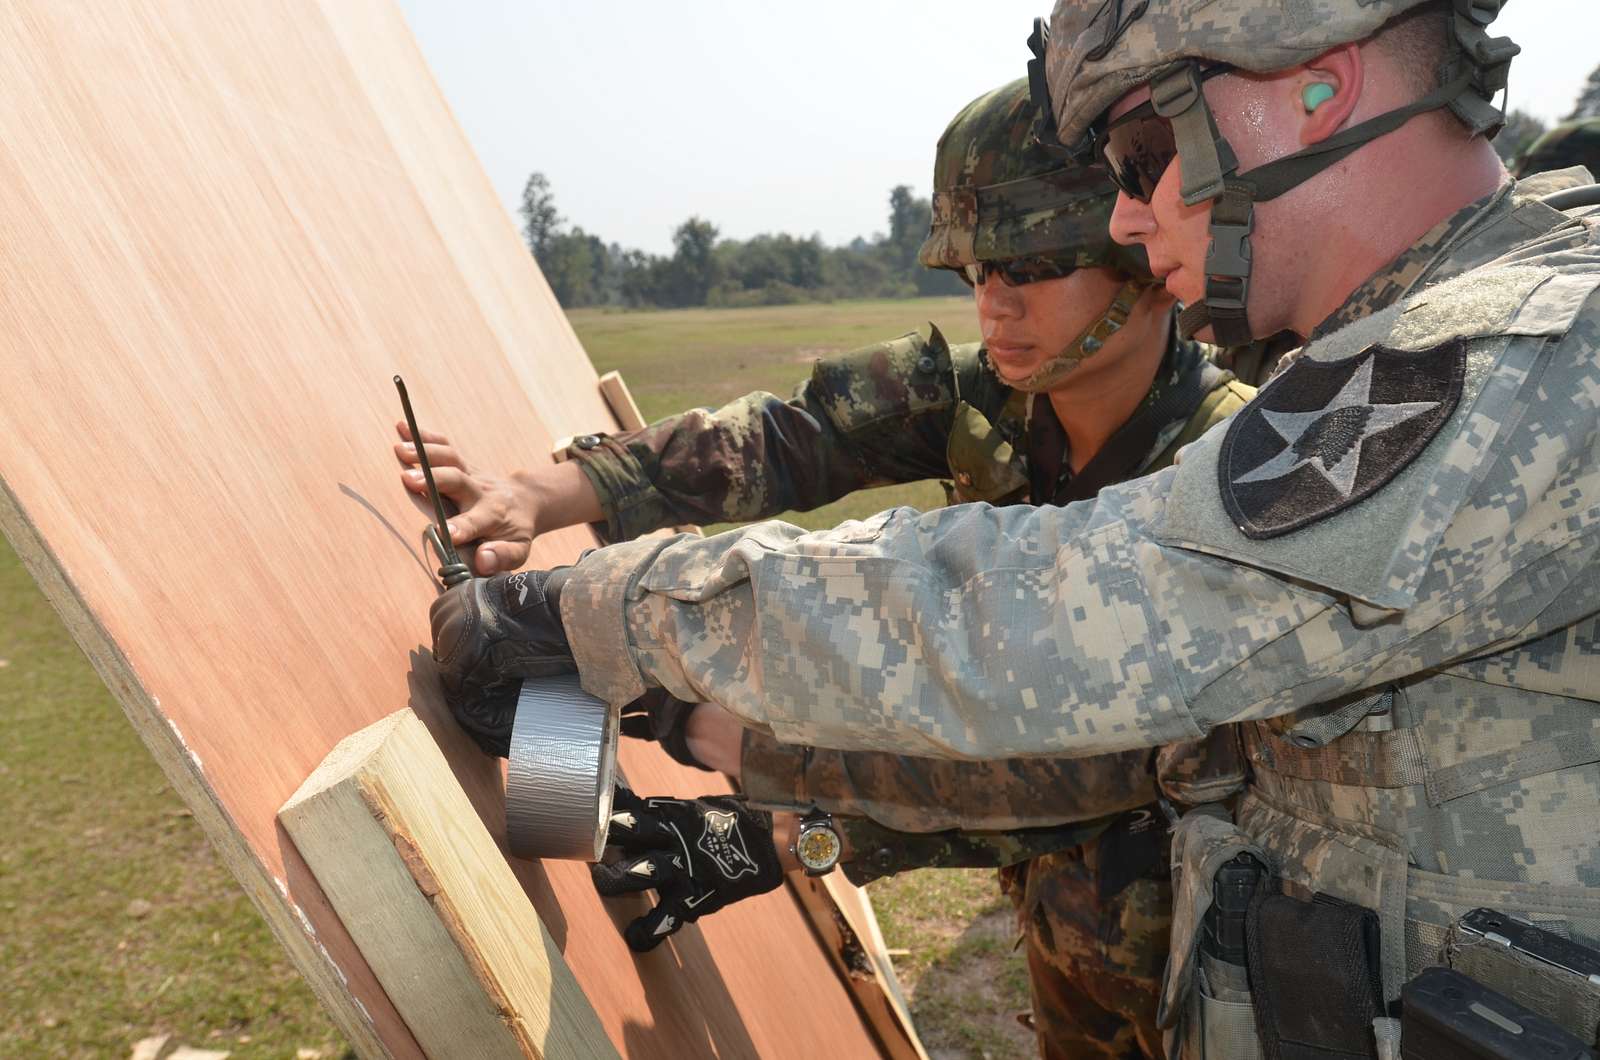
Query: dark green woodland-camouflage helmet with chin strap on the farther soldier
x,y
1002,195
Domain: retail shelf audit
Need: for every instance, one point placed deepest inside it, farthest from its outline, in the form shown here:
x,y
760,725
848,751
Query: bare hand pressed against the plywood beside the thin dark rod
x,y
503,513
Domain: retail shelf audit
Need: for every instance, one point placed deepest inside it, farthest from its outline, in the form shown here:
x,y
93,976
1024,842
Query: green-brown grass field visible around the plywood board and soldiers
x,y
119,923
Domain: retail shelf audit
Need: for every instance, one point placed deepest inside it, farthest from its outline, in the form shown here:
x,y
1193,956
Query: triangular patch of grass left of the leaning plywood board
x,y
90,829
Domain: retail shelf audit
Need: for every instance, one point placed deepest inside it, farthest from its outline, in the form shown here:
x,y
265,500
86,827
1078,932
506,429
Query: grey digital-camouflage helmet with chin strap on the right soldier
x,y
1102,50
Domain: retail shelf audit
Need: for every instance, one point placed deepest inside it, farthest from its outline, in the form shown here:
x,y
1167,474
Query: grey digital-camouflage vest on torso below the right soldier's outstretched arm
x,y
1439,792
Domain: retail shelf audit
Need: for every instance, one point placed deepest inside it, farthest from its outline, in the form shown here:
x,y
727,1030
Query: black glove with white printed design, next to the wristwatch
x,y
698,856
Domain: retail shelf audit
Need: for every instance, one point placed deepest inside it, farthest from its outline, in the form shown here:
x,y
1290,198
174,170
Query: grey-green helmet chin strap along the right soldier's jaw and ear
x,y
1476,73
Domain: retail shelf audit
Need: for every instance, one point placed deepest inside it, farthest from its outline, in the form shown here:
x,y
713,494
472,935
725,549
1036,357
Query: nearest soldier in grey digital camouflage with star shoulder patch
x,y
1388,566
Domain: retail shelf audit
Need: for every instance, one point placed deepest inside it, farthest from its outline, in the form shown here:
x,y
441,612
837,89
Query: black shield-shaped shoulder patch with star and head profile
x,y
1326,436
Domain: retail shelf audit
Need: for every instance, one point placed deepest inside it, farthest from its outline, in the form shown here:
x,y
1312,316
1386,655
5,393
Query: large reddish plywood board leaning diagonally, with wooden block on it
x,y
226,228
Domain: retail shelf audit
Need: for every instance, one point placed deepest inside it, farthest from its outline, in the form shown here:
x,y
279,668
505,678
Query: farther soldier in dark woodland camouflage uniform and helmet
x,y
1081,843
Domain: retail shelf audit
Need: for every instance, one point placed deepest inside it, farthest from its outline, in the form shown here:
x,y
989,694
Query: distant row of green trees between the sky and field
x,y
706,270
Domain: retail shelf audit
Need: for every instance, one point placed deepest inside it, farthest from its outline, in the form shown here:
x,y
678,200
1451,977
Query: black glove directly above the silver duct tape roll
x,y
489,635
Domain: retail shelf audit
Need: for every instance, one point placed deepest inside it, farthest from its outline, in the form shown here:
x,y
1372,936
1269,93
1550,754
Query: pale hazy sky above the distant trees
x,y
767,118
